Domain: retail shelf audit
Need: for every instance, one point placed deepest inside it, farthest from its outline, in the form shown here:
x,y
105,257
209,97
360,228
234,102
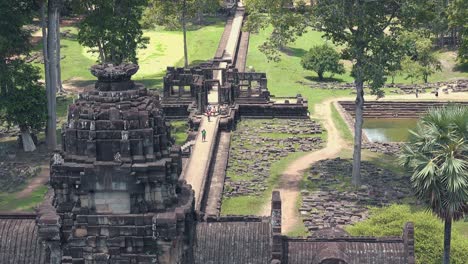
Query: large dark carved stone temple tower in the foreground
x,y
118,198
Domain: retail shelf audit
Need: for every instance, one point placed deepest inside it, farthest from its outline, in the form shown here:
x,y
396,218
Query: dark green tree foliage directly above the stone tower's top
x,y
112,29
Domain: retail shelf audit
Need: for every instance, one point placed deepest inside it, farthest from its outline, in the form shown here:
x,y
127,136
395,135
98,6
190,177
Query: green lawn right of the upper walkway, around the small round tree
x,y
288,78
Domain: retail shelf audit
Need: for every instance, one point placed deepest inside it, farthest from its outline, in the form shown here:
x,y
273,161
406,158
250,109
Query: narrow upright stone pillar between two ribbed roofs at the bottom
x,y
277,247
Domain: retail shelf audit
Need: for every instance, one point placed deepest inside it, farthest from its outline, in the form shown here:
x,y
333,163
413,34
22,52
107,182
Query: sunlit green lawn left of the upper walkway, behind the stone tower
x,y
165,49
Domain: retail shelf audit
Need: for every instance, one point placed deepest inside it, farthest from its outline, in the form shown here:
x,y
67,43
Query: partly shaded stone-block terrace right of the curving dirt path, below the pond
x,y
328,199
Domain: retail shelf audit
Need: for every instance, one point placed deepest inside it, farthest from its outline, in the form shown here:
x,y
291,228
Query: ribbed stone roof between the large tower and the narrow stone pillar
x,y
233,242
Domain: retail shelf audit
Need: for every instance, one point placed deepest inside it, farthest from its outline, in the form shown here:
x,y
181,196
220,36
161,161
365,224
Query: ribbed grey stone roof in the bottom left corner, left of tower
x,y
19,242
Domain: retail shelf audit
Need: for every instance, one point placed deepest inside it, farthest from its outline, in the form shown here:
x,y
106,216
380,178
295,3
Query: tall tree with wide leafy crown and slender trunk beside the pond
x,y
366,29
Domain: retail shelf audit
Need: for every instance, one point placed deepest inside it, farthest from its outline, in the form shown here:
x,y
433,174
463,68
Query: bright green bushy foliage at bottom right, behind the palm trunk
x,y
429,232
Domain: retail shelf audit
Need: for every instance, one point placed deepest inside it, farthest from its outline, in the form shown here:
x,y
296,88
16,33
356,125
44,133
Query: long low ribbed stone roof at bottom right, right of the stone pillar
x,y
351,250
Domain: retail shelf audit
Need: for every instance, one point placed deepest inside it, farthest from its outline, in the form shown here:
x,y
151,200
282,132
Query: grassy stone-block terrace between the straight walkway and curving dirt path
x,y
258,143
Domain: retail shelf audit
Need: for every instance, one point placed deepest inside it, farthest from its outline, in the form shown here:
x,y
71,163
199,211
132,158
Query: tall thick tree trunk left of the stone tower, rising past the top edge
x,y
51,137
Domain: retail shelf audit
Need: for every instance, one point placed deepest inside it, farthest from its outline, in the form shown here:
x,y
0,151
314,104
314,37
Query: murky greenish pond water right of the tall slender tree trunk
x,y
388,129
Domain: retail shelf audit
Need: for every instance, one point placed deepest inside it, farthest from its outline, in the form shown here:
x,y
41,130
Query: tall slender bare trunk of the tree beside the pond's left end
x,y
356,176
